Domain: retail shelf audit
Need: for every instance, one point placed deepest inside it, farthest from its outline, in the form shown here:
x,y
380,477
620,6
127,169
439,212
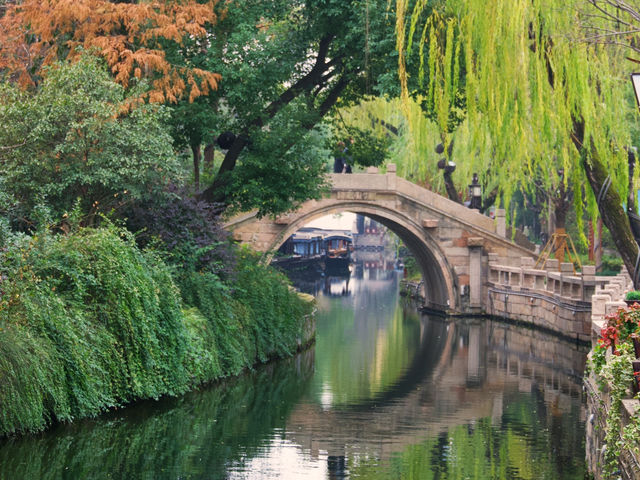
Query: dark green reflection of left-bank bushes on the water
x,y
194,436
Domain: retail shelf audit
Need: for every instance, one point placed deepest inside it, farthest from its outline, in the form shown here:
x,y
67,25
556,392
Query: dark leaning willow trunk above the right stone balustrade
x,y
610,205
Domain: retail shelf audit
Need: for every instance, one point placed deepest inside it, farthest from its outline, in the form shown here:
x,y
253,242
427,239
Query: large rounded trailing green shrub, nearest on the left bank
x,y
88,322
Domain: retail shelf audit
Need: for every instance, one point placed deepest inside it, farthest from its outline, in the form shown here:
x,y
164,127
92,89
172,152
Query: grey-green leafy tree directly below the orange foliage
x,y
71,139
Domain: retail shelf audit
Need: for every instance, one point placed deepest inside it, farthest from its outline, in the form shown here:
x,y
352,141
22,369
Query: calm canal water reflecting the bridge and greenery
x,y
385,393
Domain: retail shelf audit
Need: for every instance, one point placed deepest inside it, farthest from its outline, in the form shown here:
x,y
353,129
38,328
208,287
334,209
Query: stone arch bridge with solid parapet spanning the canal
x,y
450,242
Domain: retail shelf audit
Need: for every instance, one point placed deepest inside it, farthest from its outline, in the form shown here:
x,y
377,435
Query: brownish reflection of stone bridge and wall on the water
x,y
475,370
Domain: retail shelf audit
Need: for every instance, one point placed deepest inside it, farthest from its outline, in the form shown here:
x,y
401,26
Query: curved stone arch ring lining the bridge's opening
x,y
440,286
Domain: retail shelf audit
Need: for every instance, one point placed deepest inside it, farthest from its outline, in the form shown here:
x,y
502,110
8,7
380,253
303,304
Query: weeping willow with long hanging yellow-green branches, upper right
x,y
542,112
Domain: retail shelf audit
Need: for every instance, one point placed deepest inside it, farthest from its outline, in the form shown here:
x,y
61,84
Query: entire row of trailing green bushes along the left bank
x,y
88,322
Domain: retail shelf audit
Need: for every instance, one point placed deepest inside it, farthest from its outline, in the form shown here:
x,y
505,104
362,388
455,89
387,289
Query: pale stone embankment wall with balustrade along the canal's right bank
x,y
575,306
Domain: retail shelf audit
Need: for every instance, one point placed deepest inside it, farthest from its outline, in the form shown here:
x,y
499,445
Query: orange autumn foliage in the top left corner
x,y
35,33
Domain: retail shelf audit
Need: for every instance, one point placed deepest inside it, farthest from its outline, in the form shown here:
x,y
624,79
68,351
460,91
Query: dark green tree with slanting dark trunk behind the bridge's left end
x,y
284,67
